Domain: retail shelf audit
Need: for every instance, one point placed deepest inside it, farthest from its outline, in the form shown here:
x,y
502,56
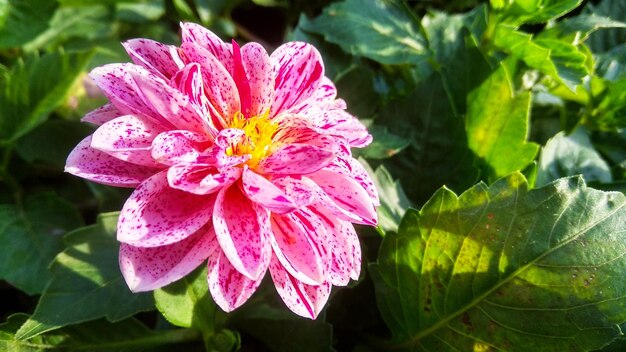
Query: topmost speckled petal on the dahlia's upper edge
x,y
197,34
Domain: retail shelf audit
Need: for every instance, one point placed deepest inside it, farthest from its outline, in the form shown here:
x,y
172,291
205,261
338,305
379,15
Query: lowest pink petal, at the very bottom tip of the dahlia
x,y
304,300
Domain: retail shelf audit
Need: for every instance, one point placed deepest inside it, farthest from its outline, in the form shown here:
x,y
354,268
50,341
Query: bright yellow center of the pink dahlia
x,y
257,141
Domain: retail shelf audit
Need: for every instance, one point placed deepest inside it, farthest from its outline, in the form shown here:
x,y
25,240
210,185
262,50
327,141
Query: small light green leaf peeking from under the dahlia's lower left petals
x,y
187,302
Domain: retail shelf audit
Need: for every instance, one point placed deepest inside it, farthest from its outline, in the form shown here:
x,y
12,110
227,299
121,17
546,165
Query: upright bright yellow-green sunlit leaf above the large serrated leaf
x,y
497,125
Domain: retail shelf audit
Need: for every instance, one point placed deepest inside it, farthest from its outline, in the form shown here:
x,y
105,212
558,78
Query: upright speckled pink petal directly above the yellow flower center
x,y
258,69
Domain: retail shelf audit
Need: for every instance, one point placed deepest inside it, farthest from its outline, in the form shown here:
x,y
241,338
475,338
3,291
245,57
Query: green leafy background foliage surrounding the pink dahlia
x,y
482,114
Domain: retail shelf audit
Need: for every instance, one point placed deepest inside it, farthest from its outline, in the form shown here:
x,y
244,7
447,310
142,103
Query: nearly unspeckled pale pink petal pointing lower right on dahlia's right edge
x,y
344,197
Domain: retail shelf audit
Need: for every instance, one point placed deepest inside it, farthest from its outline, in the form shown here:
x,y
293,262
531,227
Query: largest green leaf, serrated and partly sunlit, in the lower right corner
x,y
505,268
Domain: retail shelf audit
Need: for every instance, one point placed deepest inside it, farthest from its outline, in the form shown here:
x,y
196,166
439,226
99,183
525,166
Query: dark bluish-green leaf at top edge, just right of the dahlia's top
x,y
381,30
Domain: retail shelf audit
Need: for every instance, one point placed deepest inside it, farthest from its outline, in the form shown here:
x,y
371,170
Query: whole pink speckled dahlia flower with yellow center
x,y
239,158
